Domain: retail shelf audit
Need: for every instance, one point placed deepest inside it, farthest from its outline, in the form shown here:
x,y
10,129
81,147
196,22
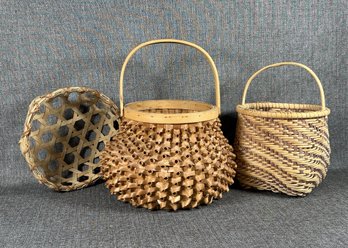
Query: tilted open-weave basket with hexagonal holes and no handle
x,y
64,133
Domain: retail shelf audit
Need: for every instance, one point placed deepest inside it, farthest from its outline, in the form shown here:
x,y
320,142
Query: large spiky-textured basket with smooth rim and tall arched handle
x,y
169,154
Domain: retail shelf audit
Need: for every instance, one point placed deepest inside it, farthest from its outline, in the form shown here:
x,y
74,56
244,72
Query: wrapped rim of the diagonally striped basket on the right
x,y
314,111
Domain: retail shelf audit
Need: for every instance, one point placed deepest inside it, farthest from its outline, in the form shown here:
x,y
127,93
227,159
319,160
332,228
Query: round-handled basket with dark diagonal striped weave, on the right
x,y
282,147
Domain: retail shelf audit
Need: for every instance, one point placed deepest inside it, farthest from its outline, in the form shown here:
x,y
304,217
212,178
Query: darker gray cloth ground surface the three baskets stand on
x,y
37,217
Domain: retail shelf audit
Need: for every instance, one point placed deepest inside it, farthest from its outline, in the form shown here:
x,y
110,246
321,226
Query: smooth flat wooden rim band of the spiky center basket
x,y
203,111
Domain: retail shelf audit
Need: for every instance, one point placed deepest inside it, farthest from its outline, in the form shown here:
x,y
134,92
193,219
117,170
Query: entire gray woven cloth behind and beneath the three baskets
x,y
46,45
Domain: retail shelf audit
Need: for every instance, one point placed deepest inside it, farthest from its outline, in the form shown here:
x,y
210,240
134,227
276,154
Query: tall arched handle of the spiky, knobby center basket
x,y
205,53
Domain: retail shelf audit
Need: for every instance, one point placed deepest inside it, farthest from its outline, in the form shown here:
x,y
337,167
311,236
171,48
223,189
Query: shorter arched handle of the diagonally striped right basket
x,y
322,96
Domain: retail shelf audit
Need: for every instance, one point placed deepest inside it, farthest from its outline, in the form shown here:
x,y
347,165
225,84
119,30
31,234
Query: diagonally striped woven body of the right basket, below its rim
x,y
282,155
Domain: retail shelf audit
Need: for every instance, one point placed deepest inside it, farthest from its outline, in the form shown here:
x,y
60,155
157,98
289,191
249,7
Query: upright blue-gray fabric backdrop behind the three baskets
x,y
45,45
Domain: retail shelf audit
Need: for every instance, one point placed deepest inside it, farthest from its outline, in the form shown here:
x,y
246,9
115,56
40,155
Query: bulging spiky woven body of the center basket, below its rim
x,y
168,166
